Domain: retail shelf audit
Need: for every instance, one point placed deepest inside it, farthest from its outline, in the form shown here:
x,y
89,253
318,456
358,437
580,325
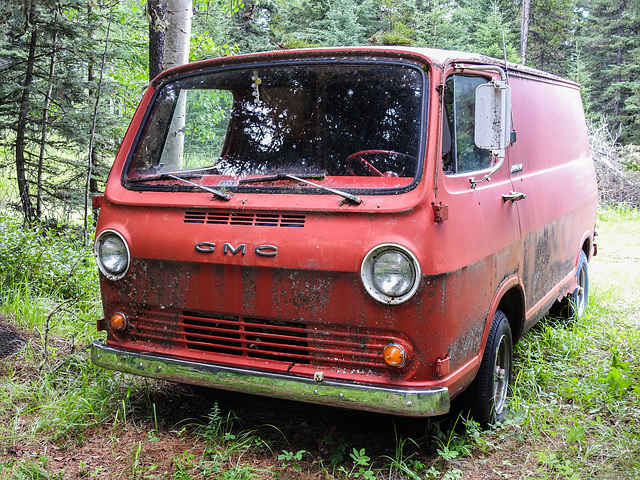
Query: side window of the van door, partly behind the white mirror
x,y
459,152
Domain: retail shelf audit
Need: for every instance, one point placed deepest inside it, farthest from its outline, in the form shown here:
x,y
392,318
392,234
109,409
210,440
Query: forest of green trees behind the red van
x,y
74,70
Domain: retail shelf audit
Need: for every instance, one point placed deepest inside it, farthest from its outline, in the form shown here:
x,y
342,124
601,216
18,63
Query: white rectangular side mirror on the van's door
x,y
493,117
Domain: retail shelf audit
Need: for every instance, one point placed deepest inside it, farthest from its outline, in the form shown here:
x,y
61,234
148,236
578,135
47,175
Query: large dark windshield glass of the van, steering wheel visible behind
x,y
352,125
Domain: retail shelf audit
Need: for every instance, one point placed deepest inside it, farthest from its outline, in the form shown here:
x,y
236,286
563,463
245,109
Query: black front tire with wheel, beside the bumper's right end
x,y
490,391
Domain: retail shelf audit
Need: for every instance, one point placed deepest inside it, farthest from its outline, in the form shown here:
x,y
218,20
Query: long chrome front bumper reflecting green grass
x,y
406,402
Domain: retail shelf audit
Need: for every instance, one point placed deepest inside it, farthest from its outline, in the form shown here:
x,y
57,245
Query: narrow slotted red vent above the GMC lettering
x,y
245,219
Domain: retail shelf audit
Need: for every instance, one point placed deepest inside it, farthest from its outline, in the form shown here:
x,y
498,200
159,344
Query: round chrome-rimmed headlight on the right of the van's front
x,y
390,273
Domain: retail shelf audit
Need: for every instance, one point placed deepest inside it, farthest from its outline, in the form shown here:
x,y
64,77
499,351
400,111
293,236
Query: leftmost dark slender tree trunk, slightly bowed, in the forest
x,y
21,168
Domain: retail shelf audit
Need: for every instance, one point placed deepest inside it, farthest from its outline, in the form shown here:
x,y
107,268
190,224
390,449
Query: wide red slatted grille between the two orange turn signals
x,y
326,346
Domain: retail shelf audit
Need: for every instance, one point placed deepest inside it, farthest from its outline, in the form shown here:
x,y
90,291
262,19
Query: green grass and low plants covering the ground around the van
x,y
575,411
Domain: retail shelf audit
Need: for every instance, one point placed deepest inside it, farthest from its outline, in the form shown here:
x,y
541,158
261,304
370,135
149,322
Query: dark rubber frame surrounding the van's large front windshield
x,y
285,187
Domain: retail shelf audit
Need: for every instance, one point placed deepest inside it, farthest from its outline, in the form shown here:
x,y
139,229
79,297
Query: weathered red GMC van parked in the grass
x,y
369,228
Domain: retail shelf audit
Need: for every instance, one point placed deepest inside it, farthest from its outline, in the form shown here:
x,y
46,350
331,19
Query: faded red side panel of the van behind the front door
x,y
551,164
